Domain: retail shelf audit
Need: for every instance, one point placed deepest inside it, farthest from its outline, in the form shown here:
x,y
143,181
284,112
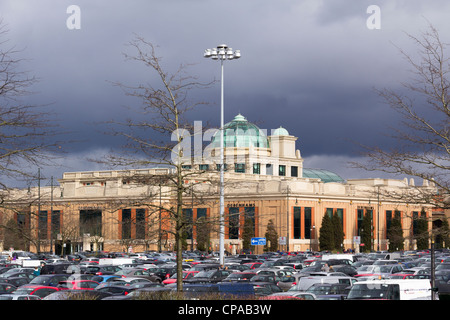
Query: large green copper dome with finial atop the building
x,y
239,133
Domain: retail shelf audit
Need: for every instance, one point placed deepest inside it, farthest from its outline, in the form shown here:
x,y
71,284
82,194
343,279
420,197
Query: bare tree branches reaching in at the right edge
x,y
423,141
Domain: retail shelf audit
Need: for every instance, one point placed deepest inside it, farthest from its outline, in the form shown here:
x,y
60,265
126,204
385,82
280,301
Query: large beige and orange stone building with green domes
x,y
265,179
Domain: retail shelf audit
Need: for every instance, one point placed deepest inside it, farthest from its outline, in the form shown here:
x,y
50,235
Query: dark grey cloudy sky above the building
x,y
310,66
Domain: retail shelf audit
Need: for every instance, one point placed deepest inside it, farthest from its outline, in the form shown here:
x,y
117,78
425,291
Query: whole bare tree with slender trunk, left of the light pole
x,y
162,116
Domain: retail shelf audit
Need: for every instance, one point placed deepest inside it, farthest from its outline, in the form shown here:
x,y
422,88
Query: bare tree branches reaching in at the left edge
x,y
24,129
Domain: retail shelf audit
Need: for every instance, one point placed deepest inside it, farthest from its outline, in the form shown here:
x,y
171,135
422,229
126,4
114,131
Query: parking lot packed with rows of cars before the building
x,y
270,276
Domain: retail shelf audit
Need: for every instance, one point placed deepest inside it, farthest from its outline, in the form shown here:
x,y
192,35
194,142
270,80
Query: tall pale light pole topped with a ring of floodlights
x,y
222,53
